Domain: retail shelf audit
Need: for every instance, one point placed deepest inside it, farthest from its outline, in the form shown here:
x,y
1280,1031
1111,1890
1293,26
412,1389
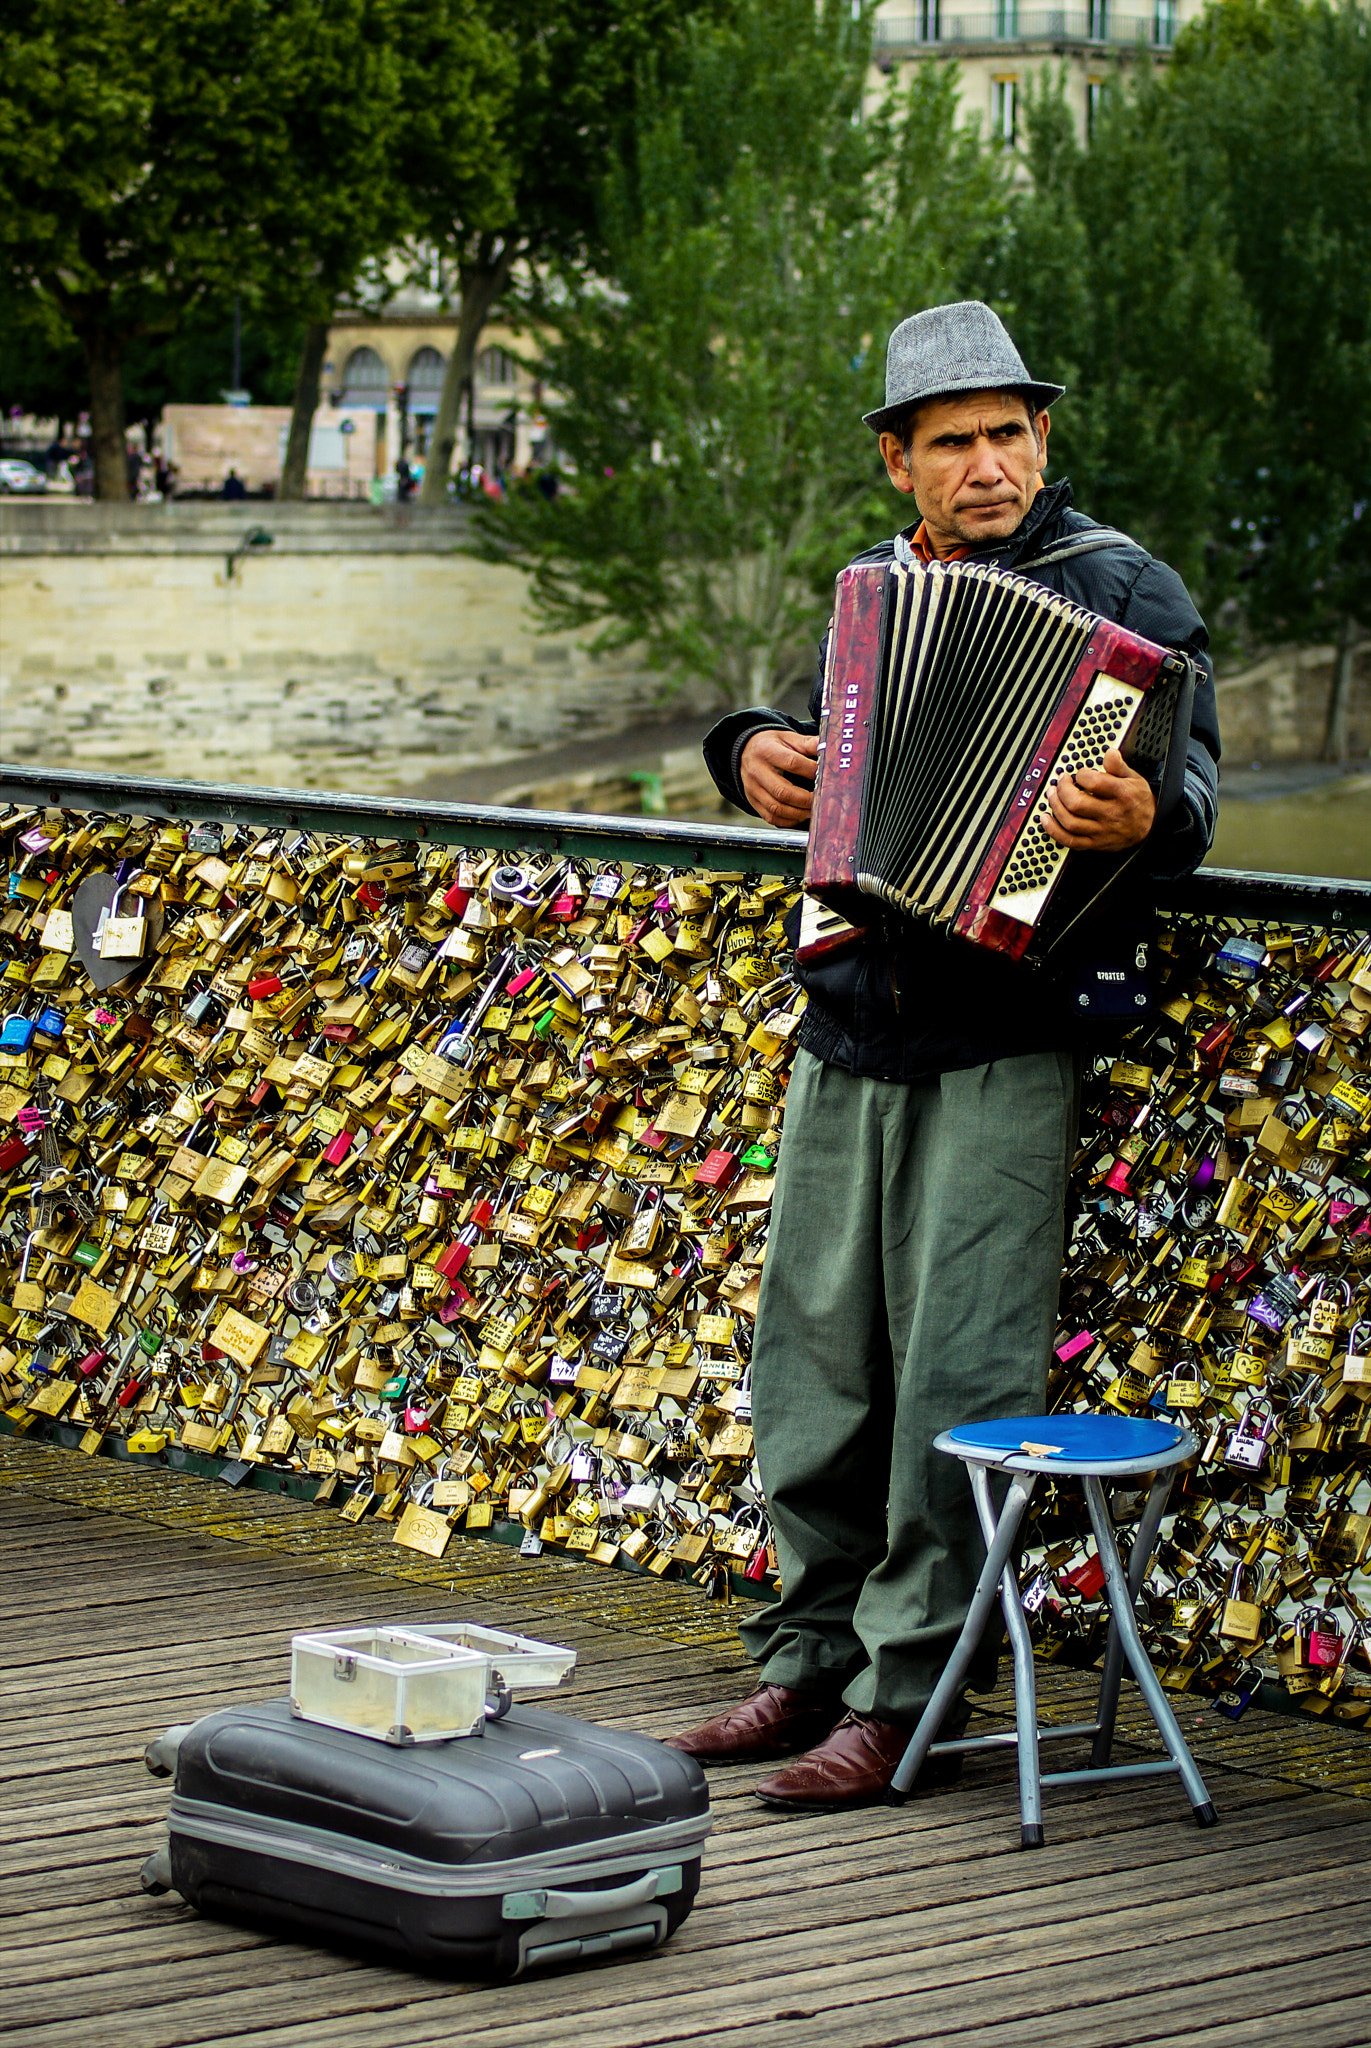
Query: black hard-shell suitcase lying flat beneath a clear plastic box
x,y
540,1842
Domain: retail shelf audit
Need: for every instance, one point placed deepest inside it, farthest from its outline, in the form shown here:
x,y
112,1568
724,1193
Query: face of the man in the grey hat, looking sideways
x,y
972,466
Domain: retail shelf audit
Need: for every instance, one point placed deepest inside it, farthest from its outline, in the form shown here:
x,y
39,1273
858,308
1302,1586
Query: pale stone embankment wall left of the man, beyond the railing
x,y
364,650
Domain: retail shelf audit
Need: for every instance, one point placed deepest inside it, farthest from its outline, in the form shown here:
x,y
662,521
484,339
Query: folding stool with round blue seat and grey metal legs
x,y
1085,1449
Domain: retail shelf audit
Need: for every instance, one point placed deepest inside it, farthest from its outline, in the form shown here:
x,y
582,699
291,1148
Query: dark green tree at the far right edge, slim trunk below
x,y
1274,97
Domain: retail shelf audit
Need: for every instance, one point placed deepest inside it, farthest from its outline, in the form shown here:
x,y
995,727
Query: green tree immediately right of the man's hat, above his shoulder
x,y
1120,282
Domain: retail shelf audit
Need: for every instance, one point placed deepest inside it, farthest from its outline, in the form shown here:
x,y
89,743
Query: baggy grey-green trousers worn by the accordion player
x,y
911,1283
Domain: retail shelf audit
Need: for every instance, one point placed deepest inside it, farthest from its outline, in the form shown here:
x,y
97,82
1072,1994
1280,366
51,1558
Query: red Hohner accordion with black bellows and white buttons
x,y
956,695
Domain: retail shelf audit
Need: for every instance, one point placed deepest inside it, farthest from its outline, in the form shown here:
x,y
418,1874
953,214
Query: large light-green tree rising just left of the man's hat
x,y
759,243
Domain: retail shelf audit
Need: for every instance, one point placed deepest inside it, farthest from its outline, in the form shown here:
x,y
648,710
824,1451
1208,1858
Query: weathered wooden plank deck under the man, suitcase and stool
x,y
134,1601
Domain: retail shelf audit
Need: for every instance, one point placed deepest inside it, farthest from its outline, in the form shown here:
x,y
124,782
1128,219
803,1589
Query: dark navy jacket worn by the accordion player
x,y
907,1002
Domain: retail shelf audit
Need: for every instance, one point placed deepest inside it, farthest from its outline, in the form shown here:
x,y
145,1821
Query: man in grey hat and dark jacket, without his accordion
x,y
915,1250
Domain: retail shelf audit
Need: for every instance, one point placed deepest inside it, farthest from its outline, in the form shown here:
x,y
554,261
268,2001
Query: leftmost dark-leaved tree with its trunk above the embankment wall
x,y
165,155
